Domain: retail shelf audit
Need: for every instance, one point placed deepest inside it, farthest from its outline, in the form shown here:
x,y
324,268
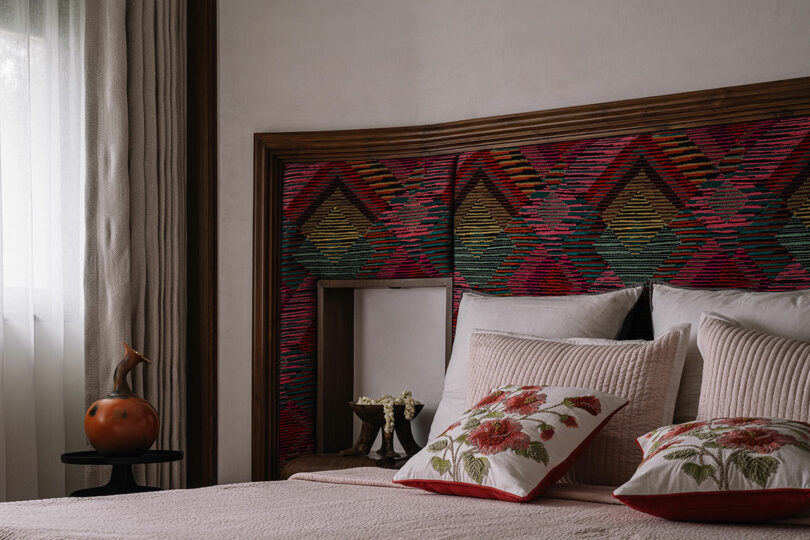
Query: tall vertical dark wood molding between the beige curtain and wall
x,y
201,200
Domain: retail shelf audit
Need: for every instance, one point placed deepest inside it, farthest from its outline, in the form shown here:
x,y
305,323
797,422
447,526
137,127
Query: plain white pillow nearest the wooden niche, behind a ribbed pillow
x,y
585,315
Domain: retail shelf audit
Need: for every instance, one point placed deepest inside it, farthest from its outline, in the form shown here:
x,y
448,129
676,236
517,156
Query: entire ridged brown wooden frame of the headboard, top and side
x,y
272,151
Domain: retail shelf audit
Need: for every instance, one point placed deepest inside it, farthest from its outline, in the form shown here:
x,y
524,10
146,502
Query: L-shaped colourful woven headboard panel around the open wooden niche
x,y
351,220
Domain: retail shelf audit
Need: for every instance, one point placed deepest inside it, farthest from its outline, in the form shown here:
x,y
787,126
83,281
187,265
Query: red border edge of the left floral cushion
x,y
466,489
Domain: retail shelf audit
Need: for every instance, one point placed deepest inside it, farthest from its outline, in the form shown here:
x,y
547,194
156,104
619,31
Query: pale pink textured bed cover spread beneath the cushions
x,y
354,503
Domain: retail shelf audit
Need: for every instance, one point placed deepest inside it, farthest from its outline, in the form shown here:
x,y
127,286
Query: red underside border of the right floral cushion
x,y
722,506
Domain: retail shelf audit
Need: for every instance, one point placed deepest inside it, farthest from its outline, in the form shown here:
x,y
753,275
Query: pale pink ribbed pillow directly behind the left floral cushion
x,y
646,373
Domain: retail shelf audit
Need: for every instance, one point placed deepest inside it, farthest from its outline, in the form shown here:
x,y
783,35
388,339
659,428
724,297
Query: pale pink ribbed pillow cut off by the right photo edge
x,y
751,373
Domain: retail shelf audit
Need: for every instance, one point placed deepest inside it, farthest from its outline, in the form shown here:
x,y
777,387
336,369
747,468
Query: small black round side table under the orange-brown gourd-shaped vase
x,y
121,479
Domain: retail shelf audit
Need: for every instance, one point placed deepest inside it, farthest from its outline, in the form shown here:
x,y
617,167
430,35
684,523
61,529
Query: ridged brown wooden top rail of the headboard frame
x,y
674,111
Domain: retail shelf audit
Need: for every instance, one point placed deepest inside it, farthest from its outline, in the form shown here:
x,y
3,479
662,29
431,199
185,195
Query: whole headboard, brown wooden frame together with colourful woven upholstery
x,y
706,189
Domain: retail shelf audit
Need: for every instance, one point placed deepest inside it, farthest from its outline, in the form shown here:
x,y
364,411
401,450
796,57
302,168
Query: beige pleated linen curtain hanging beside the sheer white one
x,y
135,290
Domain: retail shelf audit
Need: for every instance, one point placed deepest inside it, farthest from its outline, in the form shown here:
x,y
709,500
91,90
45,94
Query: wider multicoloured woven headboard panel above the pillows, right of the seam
x,y
722,206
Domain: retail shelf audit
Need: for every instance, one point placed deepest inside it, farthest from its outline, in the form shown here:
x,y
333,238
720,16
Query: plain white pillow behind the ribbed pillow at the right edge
x,y
780,313
